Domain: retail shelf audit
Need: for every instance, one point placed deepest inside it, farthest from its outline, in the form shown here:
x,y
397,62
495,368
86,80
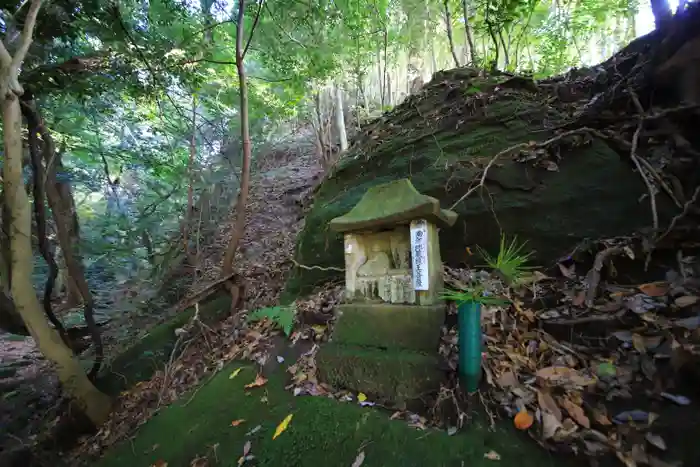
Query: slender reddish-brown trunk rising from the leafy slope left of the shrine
x,y
239,226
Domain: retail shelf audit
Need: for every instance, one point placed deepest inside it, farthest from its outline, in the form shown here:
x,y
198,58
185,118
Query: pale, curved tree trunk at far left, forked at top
x,y
92,402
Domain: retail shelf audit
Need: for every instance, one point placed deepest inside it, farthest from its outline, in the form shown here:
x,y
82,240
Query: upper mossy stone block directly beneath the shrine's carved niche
x,y
390,326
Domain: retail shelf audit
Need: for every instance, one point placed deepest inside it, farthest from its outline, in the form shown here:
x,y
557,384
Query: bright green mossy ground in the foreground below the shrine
x,y
322,432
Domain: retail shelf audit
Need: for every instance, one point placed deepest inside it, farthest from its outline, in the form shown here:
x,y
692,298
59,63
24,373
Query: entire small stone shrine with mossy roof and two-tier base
x,y
385,341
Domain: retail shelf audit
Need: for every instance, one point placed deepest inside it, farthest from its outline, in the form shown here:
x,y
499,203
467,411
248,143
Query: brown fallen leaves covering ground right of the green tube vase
x,y
569,385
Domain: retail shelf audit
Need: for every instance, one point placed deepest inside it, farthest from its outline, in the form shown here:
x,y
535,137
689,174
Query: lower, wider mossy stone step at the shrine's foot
x,y
384,375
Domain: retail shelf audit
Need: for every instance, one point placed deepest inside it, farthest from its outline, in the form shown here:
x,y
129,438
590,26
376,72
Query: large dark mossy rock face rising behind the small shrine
x,y
442,139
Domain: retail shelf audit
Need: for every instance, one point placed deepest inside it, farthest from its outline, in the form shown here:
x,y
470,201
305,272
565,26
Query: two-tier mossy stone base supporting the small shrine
x,y
387,351
